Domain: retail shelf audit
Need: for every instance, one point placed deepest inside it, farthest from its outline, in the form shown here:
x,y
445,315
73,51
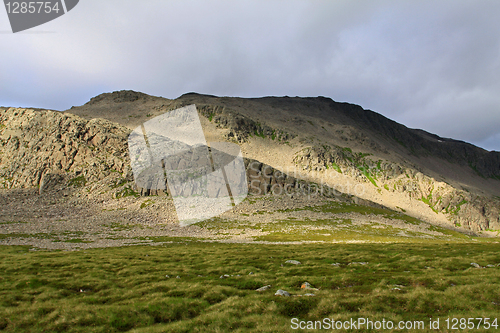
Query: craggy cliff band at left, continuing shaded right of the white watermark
x,y
54,150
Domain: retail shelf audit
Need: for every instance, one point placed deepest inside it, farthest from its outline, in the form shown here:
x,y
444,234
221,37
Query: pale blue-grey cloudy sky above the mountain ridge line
x,y
433,65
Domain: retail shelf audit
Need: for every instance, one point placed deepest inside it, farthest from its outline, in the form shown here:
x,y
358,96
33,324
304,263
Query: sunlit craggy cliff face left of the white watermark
x,y
37,144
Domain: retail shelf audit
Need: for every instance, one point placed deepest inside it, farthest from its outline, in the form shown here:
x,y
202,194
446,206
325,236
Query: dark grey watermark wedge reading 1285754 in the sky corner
x,y
25,15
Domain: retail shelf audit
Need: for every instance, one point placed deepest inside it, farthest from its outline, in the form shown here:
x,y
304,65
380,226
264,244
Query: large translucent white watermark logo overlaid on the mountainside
x,y
171,149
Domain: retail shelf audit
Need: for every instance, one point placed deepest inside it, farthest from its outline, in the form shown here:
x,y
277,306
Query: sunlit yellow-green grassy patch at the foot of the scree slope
x,y
333,222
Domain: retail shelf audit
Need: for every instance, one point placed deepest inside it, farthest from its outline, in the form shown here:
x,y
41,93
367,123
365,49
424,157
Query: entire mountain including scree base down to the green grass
x,y
335,151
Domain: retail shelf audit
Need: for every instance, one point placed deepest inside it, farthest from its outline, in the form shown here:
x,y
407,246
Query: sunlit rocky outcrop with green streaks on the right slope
x,y
462,208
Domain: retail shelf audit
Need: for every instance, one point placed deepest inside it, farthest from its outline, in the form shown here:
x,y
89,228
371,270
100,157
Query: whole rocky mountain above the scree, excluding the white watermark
x,y
338,146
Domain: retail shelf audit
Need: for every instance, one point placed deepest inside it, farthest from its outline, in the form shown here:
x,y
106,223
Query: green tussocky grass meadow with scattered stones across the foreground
x,y
127,289
